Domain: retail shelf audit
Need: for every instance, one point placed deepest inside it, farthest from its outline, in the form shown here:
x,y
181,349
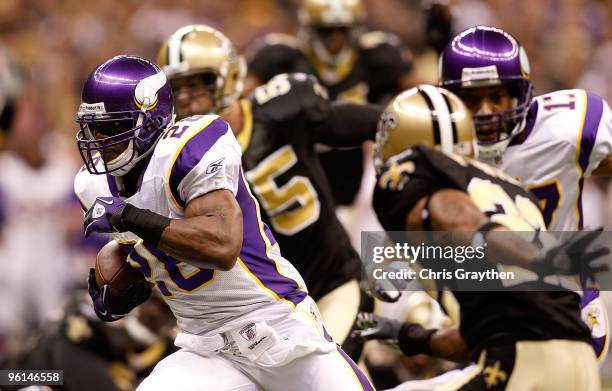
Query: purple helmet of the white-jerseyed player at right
x,y
484,56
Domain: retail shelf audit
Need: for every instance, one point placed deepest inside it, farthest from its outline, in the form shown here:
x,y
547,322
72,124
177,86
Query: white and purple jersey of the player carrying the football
x,y
195,156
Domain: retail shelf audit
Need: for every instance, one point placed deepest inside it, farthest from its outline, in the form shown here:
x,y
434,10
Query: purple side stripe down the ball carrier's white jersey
x,y
254,250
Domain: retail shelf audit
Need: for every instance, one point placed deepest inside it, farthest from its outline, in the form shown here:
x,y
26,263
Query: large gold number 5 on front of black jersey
x,y
291,207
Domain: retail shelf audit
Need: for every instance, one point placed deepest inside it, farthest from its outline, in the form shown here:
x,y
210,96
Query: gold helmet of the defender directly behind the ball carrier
x,y
200,50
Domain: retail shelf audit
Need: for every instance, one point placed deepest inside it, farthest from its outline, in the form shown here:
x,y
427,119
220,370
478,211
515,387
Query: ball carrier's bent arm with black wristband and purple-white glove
x,y
209,236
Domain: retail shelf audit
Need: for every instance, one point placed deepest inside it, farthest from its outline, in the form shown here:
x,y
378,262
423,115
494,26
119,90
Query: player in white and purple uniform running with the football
x,y
175,196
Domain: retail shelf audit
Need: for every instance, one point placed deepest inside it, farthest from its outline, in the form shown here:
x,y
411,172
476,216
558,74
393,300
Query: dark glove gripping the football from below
x,y
109,309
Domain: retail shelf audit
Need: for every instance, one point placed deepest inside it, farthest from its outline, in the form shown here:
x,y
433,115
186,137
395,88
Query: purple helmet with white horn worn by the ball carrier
x,y
125,106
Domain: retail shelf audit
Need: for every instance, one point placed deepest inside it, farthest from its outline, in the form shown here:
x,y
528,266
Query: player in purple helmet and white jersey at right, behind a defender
x,y
550,143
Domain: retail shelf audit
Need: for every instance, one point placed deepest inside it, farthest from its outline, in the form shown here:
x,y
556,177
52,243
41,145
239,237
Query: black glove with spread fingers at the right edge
x,y
571,257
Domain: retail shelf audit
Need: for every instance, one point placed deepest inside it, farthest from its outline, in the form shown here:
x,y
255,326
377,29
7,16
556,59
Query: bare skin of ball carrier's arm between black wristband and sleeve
x,y
210,241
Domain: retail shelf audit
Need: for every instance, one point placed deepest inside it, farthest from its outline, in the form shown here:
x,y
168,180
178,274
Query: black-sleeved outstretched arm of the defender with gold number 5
x,y
348,125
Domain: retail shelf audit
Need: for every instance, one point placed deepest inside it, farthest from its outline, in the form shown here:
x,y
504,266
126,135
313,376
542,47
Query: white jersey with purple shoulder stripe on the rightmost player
x,y
568,134
